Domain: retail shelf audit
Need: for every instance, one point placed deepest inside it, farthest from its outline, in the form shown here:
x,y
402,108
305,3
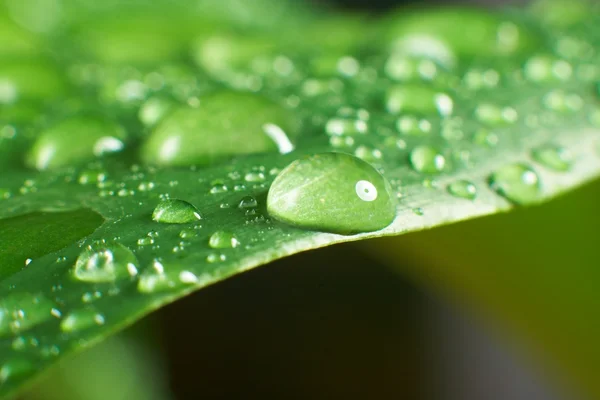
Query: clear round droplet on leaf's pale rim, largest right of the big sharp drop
x,y
517,182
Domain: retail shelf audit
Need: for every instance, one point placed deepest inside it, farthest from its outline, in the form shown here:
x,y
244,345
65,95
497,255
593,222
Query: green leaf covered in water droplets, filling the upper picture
x,y
464,112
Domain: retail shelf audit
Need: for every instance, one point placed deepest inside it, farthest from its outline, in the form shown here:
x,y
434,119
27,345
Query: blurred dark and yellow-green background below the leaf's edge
x,y
502,307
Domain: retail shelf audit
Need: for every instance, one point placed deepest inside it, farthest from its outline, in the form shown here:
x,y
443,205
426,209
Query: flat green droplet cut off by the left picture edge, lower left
x,y
21,311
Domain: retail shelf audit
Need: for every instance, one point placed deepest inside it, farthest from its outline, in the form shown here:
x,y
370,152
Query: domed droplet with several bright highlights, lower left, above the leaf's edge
x,y
105,263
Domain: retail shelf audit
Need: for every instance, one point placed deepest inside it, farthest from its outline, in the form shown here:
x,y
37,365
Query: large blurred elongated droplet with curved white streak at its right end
x,y
225,124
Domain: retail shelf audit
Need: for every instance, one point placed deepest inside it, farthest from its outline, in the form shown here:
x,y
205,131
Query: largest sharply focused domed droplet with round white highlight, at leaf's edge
x,y
332,192
